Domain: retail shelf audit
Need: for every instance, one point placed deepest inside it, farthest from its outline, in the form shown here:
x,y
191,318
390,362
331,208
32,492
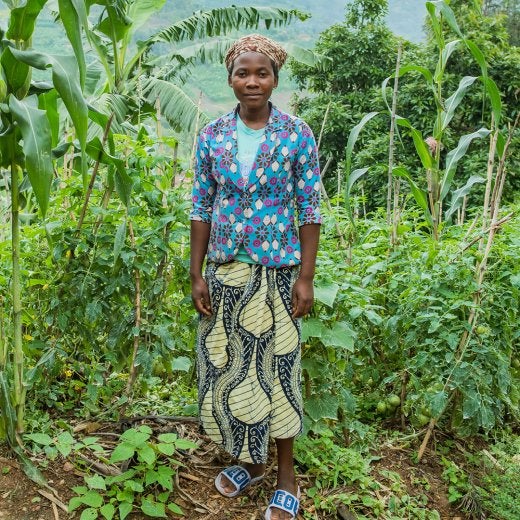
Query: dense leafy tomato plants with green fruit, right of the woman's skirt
x,y
388,319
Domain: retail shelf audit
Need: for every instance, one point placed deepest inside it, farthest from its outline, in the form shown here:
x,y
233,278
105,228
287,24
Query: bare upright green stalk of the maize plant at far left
x,y
19,393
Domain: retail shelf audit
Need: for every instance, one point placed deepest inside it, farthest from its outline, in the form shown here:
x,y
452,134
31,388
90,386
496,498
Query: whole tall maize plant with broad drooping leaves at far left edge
x,y
29,146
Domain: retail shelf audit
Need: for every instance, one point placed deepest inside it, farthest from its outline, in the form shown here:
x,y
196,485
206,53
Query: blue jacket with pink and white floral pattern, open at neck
x,y
260,213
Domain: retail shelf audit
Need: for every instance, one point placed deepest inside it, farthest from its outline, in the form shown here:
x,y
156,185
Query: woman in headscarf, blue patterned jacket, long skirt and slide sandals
x,y
256,179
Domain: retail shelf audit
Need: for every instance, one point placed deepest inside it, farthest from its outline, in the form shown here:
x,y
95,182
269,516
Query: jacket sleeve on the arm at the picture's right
x,y
307,172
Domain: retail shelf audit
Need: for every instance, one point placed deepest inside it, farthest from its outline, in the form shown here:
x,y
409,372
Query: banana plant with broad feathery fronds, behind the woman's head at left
x,y
136,76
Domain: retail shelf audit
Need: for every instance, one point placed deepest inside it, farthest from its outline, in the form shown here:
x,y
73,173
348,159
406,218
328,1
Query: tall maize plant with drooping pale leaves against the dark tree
x,y
439,176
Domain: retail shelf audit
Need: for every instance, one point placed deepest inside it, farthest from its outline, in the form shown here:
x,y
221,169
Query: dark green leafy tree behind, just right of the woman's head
x,y
363,51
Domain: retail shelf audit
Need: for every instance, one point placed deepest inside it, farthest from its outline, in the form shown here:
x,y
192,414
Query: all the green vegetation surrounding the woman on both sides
x,y
413,341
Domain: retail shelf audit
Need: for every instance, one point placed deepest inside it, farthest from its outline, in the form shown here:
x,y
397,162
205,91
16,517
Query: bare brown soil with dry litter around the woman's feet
x,y
21,499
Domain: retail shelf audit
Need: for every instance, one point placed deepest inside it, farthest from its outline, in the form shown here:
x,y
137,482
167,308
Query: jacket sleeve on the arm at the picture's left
x,y
204,185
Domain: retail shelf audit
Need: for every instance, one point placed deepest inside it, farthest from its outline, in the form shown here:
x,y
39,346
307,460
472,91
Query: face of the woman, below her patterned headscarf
x,y
252,80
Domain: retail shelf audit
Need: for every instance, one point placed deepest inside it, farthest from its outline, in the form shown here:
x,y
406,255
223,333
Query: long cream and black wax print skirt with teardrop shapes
x,y
249,360
